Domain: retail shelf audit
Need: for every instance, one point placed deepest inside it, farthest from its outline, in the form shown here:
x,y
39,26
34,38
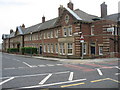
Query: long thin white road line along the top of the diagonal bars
x,y
38,74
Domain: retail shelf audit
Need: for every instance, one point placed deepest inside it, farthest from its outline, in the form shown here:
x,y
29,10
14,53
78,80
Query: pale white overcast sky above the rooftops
x,y
29,12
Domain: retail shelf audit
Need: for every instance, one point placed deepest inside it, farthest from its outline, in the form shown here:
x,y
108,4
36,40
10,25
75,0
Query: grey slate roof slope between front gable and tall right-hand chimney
x,y
85,16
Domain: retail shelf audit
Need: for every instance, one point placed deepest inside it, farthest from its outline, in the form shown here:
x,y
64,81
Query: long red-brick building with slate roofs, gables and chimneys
x,y
60,37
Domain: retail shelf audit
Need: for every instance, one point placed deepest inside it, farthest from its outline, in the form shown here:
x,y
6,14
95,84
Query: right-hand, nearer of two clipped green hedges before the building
x,y
29,50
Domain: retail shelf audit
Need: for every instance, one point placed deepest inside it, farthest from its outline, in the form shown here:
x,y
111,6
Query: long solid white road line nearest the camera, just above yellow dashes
x,y
52,84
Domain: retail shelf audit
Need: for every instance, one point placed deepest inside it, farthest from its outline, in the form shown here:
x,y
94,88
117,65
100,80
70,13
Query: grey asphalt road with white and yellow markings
x,y
19,72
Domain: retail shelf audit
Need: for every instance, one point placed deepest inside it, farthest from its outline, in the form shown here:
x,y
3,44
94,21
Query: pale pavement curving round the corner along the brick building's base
x,y
73,61
